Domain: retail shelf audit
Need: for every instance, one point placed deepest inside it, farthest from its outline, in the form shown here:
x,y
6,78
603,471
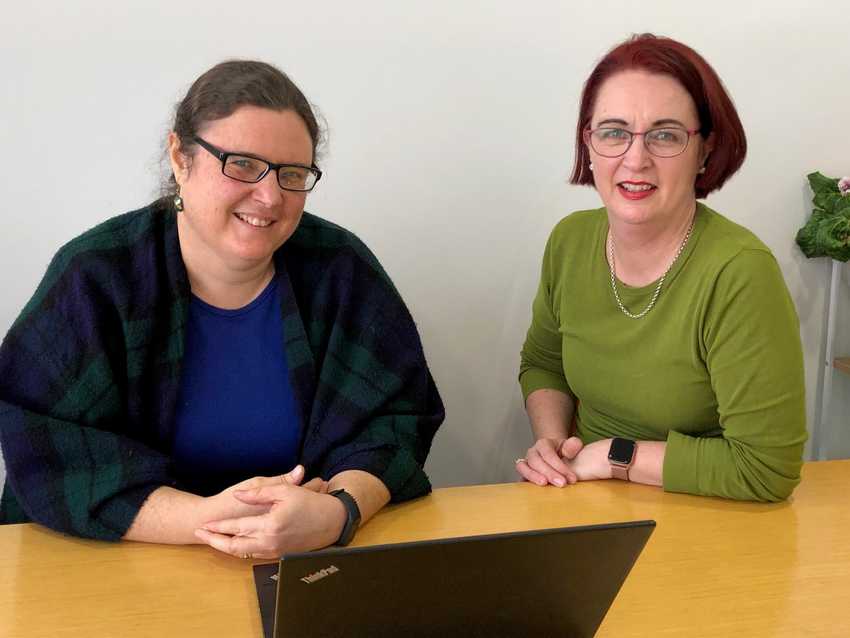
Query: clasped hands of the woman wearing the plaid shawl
x,y
277,515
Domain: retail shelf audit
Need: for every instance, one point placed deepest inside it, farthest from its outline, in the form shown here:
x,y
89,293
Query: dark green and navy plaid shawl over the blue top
x,y
90,372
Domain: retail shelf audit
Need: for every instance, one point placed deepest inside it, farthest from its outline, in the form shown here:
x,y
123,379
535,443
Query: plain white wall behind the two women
x,y
450,143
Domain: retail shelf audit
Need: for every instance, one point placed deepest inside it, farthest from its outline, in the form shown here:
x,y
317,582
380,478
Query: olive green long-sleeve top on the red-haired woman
x,y
714,369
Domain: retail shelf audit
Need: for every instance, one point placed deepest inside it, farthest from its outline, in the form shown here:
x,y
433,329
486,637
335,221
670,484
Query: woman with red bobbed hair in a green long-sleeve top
x,y
664,346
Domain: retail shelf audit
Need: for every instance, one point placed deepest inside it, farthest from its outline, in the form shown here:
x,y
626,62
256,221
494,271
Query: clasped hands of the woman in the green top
x,y
563,462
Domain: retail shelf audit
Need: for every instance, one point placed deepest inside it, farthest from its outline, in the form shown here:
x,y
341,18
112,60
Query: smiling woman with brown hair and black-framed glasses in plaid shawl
x,y
220,366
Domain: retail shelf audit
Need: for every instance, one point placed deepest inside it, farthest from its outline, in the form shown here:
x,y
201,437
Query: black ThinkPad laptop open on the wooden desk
x,y
553,582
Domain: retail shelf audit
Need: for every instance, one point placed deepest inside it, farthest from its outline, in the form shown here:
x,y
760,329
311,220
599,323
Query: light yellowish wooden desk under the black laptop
x,y
712,567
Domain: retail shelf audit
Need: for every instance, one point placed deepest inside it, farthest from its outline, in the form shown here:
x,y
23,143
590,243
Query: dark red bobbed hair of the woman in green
x,y
716,112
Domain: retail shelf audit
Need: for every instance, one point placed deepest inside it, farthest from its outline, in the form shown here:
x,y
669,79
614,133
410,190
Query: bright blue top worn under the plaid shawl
x,y
236,415
